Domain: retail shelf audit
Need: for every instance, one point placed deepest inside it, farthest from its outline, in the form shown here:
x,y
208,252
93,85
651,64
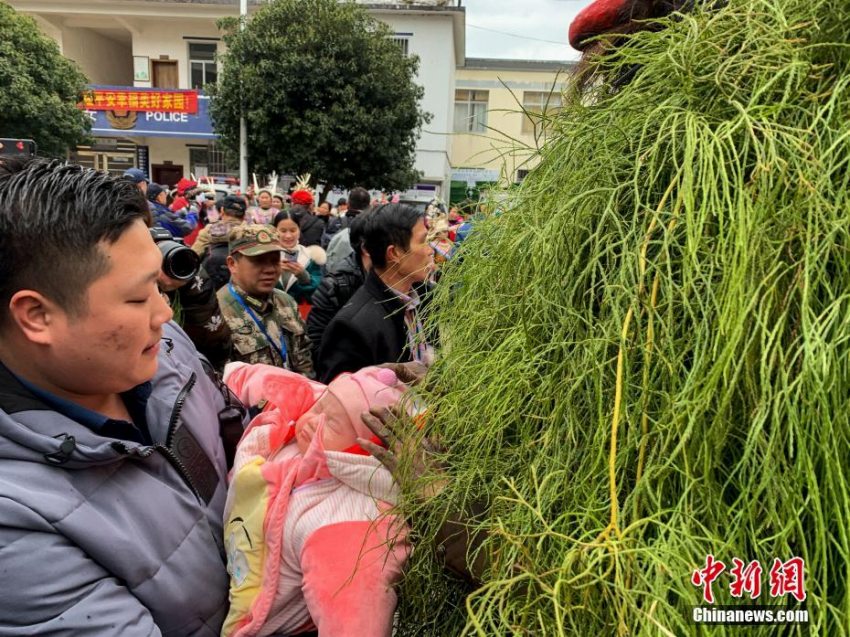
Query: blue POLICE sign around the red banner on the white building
x,y
150,123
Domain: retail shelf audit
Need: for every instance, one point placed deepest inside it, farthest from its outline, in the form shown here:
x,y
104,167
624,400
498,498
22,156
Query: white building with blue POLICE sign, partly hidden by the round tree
x,y
143,54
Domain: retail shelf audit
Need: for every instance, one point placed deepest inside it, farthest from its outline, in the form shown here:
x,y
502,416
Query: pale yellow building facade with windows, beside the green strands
x,y
499,120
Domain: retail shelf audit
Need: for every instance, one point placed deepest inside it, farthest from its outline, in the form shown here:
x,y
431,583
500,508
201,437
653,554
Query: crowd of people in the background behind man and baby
x,y
281,274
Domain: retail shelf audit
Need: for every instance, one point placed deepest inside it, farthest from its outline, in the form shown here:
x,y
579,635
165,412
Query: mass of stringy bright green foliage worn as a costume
x,y
646,356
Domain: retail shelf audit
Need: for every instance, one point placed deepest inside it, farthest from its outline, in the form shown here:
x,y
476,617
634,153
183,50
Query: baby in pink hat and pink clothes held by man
x,y
310,543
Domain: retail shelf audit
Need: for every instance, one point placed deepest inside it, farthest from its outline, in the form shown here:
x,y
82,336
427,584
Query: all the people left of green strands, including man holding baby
x,y
190,454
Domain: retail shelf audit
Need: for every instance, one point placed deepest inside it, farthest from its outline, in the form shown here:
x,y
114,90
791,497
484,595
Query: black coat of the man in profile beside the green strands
x,y
368,330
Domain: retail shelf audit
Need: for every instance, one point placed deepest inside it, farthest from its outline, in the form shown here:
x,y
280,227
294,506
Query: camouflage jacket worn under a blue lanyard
x,y
279,314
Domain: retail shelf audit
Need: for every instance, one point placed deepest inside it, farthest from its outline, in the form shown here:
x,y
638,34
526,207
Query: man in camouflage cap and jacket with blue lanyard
x,y
264,322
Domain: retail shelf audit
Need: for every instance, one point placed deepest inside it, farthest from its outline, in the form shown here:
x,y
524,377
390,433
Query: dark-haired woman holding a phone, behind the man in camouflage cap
x,y
301,265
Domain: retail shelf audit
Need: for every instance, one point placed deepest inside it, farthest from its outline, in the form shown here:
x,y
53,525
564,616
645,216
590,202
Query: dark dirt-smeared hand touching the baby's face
x,y
382,422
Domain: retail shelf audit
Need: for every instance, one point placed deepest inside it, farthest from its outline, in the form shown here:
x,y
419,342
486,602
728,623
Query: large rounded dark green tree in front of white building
x,y
325,90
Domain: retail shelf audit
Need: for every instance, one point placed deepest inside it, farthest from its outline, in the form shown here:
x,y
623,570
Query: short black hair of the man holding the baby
x,y
53,217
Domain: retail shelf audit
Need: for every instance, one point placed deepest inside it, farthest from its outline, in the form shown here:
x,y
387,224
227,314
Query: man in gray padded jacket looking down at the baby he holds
x,y
112,471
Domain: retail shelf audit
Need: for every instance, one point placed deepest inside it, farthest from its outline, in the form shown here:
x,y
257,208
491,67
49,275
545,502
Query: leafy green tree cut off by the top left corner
x,y
41,88
